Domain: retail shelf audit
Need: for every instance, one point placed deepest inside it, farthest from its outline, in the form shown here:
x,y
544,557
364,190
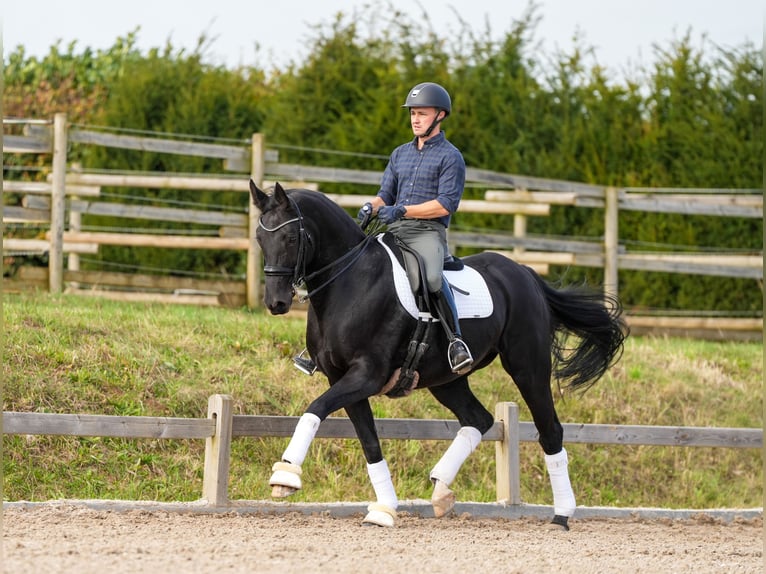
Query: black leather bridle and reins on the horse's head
x,y
298,272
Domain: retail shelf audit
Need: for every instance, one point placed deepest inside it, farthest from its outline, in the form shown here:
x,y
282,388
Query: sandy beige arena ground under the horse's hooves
x,y
62,538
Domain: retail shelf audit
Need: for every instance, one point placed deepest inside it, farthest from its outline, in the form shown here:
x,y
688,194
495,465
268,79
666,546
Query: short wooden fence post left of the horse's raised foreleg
x,y
215,482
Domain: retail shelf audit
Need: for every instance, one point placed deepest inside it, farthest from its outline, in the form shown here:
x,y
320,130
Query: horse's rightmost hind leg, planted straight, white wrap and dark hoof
x,y
532,373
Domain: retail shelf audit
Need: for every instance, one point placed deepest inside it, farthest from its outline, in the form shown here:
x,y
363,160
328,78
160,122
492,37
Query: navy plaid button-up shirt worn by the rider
x,y
415,176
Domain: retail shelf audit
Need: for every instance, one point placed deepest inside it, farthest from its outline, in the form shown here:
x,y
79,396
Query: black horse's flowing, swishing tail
x,y
596,320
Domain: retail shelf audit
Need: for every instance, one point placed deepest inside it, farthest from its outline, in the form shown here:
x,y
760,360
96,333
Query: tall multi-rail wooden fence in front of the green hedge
x,y
73,193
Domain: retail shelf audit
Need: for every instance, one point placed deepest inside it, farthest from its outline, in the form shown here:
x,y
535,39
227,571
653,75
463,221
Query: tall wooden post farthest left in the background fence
x,y
58,193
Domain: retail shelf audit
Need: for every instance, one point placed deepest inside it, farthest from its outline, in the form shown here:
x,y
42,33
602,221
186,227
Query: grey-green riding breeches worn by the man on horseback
x,y
429,239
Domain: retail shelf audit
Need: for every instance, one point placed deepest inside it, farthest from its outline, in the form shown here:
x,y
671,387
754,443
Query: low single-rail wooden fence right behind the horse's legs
x,y
221,426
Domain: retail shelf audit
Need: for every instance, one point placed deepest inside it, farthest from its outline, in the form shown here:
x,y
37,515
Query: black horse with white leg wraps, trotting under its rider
x,y
359,335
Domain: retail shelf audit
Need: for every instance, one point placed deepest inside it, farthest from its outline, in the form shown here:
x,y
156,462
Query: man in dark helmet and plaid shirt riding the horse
x,y
420,190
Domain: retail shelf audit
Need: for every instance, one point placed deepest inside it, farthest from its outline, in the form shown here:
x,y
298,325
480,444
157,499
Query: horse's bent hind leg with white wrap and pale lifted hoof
x,y
475,420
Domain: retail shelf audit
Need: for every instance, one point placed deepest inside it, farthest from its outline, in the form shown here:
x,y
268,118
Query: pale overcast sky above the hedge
x,y
622,32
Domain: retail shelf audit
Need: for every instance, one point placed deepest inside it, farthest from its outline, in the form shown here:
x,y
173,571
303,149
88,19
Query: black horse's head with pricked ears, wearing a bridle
x,y
284,242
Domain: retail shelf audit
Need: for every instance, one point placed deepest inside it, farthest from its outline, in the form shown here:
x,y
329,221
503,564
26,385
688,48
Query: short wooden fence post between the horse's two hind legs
x,y
507,471
